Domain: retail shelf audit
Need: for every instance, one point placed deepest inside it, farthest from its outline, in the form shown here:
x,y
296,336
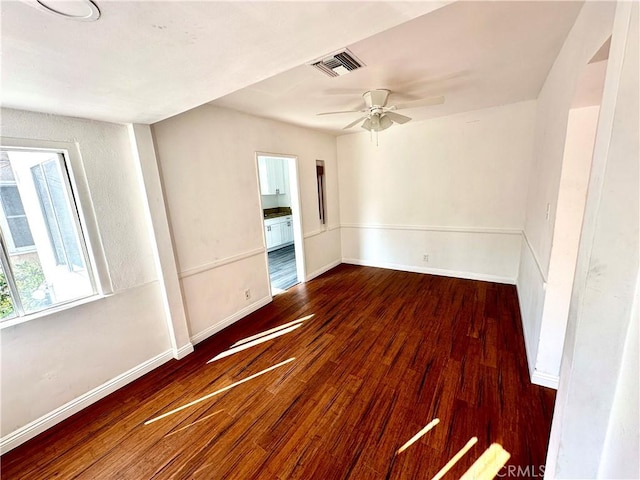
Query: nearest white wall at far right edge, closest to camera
x,y
602,305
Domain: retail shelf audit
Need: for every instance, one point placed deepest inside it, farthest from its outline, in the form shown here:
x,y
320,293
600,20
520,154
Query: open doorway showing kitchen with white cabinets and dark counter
x,y
280,203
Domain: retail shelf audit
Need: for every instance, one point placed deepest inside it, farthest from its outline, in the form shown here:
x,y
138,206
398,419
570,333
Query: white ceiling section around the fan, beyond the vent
x,y
477,54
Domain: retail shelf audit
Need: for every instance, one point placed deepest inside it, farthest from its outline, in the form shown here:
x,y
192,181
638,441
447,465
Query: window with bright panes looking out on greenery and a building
x,y
43,259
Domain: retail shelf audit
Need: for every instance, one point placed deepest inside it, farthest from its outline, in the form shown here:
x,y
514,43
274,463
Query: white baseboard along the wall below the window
x,y
22,434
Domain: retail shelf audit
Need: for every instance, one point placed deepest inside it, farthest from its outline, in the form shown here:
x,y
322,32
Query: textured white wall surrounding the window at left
x,y
50,361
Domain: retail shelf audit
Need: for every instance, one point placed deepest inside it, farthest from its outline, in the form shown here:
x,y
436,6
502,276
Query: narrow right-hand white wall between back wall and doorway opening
x,y
591,29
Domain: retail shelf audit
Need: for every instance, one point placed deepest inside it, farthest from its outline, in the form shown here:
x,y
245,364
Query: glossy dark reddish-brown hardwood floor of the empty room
x,y
384,353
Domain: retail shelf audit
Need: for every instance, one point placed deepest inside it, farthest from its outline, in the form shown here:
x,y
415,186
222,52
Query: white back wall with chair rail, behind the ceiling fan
x,y
452,188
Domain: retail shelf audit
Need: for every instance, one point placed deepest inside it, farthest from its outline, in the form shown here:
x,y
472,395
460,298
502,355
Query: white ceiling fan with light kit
x,y
378,116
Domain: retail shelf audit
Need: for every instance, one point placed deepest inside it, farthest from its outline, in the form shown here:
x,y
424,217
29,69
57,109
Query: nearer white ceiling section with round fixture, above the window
x,y
144,61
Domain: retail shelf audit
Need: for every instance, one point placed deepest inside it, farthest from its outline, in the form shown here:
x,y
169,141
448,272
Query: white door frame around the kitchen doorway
x,y
296,212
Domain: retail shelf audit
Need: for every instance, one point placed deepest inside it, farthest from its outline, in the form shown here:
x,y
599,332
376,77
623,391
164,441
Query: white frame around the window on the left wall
x,y
75,182
